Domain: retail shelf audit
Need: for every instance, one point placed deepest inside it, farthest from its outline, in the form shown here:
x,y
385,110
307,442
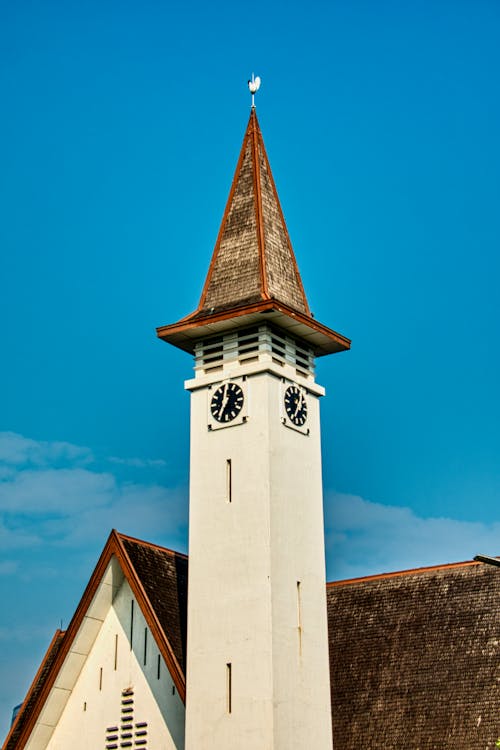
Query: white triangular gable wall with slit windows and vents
x,y
95,700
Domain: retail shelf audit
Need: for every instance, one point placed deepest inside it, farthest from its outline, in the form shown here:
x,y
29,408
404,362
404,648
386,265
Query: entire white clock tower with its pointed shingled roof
x,y
257,655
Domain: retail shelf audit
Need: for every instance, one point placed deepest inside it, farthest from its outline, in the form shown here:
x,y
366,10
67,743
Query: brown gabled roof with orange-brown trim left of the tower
x,y
158,580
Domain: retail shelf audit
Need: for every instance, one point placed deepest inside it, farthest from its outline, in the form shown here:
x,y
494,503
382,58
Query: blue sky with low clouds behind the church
x,y
120,128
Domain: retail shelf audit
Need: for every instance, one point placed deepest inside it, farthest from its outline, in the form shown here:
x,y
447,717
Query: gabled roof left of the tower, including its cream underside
x,y
68,652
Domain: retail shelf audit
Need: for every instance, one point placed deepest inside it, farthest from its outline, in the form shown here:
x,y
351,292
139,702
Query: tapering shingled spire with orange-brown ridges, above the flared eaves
x,y
253,260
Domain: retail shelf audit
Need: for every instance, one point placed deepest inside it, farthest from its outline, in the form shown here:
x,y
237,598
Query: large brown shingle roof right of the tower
x,y
415,659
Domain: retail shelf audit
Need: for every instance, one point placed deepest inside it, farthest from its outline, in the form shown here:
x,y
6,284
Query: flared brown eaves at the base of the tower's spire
x,y
186,332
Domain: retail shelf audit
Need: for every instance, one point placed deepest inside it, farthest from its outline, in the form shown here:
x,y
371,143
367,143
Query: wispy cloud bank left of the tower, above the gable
x,y
51,493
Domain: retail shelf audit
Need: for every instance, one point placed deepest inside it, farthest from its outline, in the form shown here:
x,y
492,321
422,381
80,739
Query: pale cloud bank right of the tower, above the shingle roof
x,y
363,538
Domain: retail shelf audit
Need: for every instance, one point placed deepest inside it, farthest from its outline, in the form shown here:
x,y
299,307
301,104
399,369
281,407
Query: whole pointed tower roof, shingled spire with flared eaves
x,y
253,268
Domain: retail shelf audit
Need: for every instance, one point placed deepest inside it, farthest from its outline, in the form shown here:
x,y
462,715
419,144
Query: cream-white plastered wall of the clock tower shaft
x,y
246,557
